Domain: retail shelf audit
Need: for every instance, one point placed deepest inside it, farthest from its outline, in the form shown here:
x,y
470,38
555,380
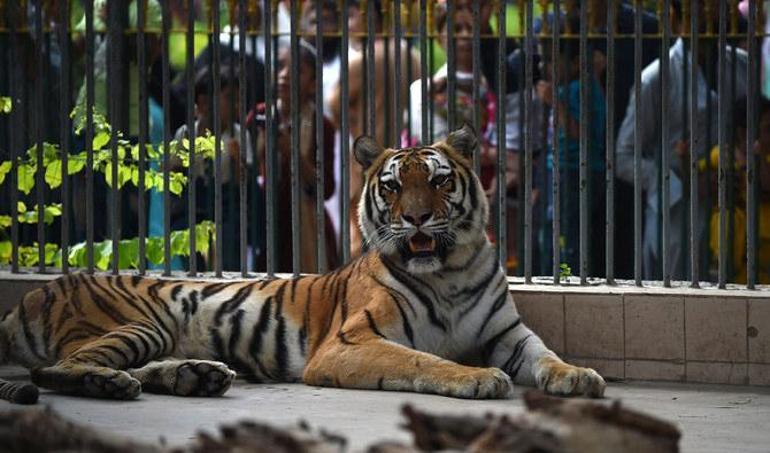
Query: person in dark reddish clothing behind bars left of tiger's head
x,y
307,174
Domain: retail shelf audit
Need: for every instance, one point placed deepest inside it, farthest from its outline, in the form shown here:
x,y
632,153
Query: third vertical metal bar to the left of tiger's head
x,y
295,141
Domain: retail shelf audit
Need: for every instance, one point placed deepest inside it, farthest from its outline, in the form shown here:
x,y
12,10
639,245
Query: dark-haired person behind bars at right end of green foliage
x,y
231,147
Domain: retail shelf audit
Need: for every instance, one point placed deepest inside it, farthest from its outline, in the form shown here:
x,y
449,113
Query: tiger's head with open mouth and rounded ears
x,y
420,205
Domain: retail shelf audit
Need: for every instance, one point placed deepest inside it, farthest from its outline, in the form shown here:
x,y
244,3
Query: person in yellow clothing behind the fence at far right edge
x,y
736,209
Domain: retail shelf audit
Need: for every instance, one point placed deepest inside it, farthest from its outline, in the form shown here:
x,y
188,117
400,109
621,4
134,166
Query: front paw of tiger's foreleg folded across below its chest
x,y
480,383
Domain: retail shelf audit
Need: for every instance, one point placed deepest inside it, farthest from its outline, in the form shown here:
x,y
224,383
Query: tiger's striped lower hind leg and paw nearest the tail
x,y
95,369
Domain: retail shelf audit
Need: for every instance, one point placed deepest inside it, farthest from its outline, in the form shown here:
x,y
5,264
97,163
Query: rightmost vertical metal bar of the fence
x,y
751,133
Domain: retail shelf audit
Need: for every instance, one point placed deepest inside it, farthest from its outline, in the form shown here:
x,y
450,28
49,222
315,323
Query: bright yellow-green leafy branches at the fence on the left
x,y
103,161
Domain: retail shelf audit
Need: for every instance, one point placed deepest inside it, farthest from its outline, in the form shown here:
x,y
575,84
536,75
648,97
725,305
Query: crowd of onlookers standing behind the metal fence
x,y
560,131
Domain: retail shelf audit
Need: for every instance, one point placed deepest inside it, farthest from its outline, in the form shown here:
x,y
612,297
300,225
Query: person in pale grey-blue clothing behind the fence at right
x,y
678,146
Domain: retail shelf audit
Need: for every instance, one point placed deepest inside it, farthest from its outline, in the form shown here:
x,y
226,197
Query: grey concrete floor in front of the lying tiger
x,y
712,418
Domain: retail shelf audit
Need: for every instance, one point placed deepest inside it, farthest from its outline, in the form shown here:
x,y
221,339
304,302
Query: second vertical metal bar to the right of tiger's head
x,y
529,50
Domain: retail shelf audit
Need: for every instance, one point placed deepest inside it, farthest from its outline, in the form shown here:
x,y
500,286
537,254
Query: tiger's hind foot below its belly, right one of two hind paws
x,y
185,377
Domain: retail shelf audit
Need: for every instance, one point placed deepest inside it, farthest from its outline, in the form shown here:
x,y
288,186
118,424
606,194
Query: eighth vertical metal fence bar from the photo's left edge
x,y
192,132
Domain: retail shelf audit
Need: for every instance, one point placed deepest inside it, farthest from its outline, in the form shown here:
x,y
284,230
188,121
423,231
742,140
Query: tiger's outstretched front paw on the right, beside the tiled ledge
x,y
559,378
